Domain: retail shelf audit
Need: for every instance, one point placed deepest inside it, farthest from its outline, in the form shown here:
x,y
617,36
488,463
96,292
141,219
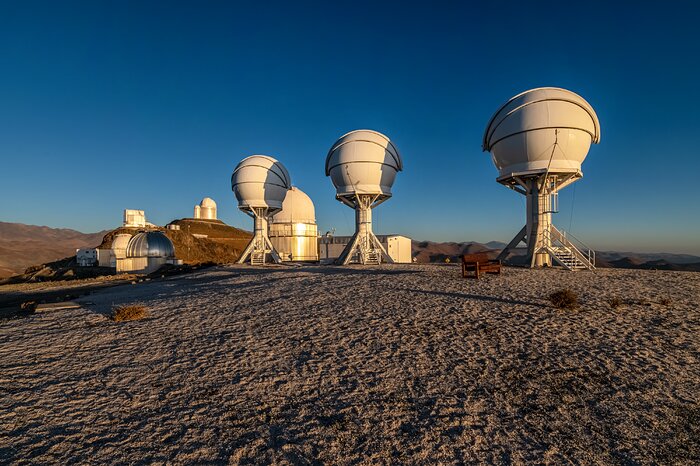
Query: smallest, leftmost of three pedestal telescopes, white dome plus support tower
x,y
260,184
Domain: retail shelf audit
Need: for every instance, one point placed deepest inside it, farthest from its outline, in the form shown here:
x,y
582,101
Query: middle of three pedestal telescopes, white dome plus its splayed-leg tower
x,y
362,165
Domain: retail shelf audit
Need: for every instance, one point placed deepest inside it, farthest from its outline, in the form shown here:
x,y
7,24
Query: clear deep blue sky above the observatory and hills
x,y
148,105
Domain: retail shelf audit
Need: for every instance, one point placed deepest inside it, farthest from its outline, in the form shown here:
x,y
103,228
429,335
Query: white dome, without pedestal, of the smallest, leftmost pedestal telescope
x,y
260,181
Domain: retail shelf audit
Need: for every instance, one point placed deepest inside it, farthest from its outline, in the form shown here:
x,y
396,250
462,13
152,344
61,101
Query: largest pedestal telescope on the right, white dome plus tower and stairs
x,y
538,140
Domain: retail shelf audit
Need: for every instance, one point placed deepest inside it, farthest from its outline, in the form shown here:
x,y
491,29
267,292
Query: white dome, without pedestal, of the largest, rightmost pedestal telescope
x,y
521,135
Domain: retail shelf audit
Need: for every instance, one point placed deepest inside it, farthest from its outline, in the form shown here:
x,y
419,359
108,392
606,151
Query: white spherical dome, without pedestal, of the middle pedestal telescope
x,y
363,162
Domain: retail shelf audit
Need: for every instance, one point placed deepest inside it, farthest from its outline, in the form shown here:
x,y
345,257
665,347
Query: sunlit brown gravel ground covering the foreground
x,y
389,365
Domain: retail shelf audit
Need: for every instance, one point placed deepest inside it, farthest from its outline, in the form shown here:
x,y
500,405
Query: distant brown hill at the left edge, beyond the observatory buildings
x,y
22,246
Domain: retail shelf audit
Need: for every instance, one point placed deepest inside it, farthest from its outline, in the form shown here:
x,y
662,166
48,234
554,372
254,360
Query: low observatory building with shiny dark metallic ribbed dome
x,y
146,252
